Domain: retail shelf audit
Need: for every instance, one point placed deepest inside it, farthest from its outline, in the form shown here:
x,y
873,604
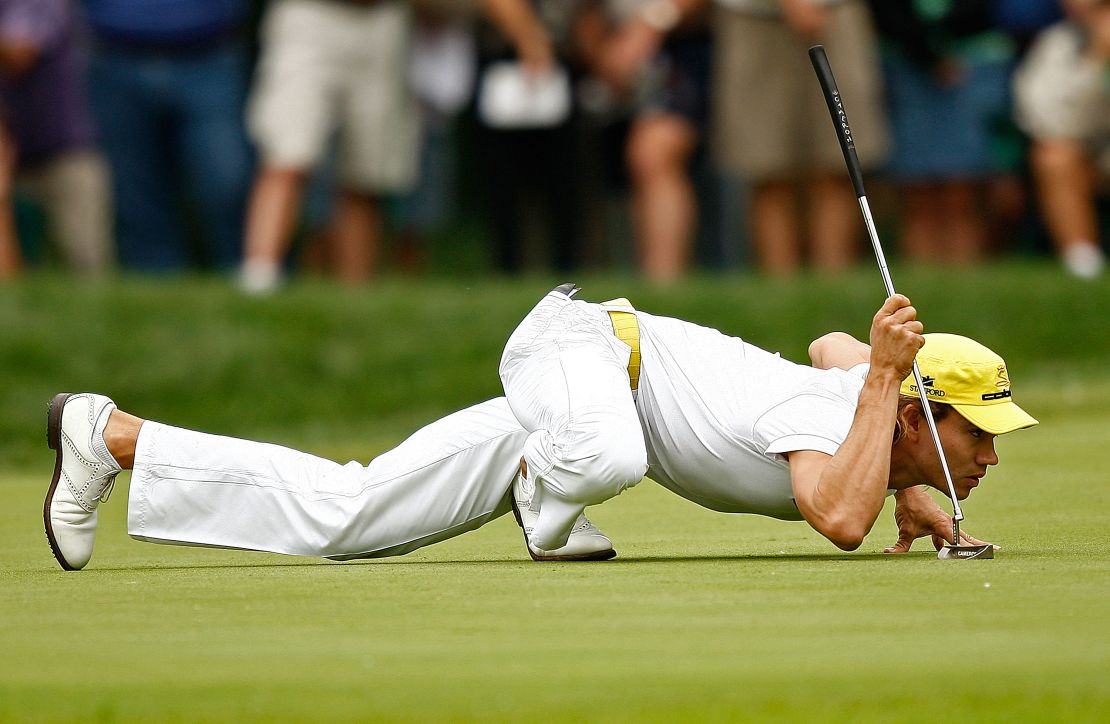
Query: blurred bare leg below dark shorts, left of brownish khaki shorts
x,y
664,205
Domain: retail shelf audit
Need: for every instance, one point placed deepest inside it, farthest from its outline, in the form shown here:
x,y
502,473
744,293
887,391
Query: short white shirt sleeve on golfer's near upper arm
x,y
809,421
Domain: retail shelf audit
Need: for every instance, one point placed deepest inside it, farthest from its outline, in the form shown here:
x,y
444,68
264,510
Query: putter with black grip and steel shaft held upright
x,y
953,551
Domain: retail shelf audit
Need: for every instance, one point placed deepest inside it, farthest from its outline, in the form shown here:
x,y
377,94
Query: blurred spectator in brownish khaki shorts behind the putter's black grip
x,y
772,128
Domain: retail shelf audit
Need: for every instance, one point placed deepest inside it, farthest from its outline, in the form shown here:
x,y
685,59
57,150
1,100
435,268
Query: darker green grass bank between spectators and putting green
x,y
331,367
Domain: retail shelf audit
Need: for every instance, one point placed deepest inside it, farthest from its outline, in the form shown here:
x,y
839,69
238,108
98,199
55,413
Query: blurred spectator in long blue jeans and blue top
x,y
168,84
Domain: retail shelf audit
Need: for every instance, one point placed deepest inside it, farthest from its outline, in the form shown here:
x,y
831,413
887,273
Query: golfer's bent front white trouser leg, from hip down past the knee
x,y
567,380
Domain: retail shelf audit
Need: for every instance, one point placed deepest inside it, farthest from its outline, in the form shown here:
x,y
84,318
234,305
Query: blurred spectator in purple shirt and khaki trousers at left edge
x,y
49,135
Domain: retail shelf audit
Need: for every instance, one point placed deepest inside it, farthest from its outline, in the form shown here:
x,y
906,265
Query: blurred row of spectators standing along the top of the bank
x,y
267,139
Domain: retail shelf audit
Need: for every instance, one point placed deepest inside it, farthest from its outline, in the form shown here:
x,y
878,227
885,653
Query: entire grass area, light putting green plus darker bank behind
x,y
703,617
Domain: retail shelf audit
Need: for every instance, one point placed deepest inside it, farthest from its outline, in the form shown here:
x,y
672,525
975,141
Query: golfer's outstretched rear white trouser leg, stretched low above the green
x,y
449,478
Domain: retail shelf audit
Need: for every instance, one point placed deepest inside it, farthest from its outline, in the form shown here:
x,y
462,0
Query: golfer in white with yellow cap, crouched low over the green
x,y
597,397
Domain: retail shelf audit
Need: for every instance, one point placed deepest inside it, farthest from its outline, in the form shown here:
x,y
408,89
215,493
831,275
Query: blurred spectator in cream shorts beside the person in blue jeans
x,y
329,67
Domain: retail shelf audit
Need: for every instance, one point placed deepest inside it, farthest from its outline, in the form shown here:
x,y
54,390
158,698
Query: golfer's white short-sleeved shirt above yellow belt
x,y
719,414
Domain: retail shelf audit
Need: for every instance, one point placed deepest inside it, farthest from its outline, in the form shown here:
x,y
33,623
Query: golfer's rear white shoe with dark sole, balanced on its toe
x,y
84,475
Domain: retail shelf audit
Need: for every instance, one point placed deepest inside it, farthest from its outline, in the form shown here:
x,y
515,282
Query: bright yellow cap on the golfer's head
x,y
962,373
